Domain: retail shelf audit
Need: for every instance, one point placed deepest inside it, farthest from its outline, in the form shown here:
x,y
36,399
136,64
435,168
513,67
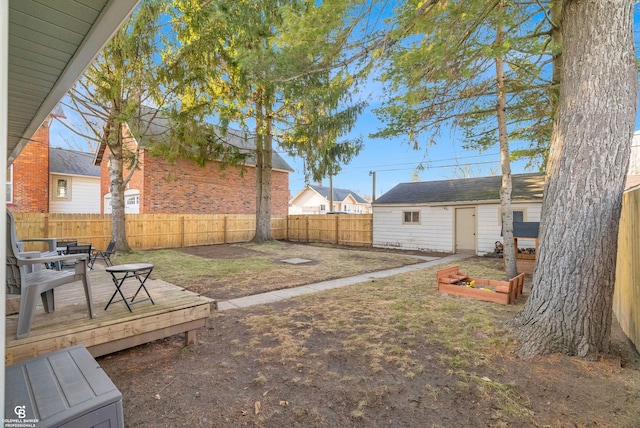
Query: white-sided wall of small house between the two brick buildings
x,y
85,196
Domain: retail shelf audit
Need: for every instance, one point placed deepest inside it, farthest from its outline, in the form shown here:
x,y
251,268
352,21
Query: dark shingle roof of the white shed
x,y
526,187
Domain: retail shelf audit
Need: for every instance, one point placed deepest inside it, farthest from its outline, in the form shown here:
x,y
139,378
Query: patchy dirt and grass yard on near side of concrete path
x,y
385,353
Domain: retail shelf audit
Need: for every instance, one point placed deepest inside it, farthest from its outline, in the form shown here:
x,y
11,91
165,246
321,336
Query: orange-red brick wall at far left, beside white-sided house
x,y
31,175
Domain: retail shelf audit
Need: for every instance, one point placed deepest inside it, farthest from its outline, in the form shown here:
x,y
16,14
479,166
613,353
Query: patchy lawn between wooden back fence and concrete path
x,y
224,272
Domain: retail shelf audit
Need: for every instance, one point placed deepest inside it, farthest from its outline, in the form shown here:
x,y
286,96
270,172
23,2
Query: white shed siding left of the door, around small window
x,y
434,233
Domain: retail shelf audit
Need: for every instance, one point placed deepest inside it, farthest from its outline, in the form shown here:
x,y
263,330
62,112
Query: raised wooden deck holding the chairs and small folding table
x,y
176,311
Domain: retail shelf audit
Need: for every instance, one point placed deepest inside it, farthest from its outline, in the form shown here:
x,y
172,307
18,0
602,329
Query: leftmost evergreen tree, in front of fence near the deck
x,y
110,94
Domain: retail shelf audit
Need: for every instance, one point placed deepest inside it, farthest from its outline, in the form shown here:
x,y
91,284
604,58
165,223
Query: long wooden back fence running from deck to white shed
x,y
155,231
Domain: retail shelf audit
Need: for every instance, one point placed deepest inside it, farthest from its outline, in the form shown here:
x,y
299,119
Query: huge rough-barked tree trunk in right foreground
x,y
569,309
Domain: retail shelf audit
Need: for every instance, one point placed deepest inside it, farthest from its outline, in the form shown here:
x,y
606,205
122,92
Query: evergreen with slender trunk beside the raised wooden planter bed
x,y
440,75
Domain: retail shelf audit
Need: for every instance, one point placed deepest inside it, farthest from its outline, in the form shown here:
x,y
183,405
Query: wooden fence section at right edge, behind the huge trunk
x,y
626,298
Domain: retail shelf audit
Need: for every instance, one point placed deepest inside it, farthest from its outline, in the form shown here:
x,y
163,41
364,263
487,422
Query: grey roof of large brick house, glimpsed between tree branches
x,y
155,126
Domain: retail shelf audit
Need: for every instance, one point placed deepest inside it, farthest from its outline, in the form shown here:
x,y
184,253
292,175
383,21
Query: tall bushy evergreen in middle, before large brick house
x,y
273,68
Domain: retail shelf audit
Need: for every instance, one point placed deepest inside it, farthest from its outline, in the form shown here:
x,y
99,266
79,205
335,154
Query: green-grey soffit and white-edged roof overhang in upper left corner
x,y
50,46
